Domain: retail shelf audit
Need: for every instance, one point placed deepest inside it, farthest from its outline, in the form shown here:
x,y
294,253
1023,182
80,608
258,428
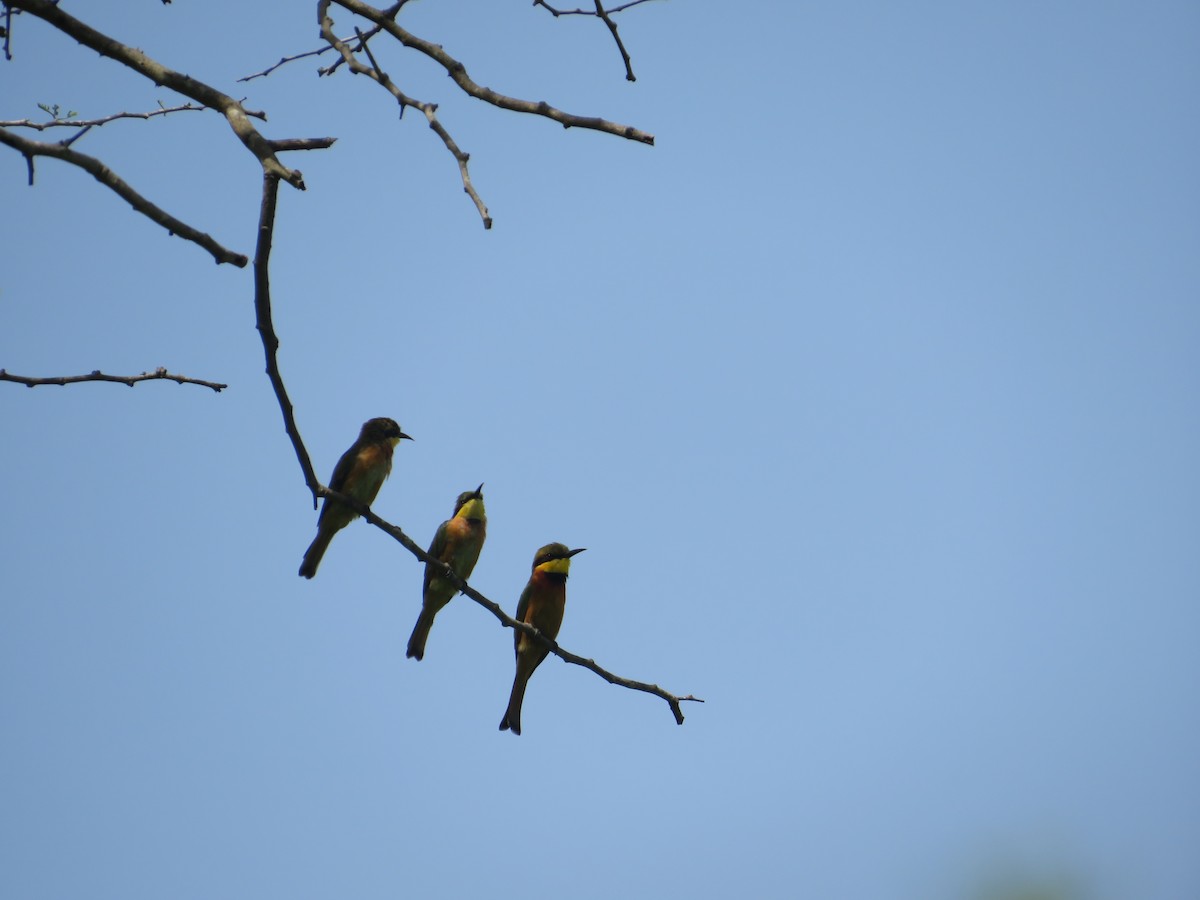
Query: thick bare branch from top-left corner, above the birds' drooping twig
x,y
235,113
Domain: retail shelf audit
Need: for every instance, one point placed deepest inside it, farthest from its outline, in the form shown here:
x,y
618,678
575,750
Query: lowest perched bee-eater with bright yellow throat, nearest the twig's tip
x,y
542,605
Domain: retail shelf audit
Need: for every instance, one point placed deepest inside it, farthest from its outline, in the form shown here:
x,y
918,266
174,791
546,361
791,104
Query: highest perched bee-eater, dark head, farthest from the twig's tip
x,y
361,473
